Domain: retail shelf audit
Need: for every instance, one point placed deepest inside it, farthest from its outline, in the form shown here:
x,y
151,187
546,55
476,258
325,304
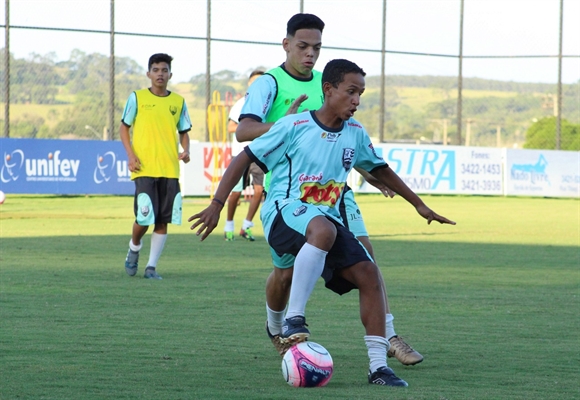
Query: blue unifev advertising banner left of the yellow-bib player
x,y
64,167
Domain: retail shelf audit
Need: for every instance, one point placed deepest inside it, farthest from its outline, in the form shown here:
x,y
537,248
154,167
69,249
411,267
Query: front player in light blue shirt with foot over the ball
x,y
310,155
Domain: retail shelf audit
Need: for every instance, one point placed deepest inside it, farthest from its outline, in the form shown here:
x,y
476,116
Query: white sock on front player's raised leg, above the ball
x,y
308,267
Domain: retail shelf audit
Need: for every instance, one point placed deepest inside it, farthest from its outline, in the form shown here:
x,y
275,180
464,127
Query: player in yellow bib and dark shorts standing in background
x,y
156,115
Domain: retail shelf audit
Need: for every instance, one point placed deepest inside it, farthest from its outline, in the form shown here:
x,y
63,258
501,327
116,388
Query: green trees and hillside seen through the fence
x,y
81,83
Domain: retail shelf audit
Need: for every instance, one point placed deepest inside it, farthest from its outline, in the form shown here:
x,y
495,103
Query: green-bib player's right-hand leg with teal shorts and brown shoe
x,y
398,347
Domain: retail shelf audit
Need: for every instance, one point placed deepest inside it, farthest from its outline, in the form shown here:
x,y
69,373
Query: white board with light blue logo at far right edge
x,y
547,173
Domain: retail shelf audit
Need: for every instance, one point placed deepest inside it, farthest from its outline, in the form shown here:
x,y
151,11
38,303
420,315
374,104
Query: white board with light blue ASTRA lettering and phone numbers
x,y
445,169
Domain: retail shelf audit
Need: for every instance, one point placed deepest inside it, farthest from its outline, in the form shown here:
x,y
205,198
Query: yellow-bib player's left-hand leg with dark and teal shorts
x,y
142,208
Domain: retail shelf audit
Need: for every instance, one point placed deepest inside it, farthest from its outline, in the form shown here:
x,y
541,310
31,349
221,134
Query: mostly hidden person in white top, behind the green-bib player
x,y
255,171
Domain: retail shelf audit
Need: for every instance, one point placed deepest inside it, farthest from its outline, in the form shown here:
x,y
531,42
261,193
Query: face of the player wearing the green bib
x,y
302,51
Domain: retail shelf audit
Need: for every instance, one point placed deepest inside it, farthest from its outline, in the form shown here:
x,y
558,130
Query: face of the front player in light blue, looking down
x,y
345,99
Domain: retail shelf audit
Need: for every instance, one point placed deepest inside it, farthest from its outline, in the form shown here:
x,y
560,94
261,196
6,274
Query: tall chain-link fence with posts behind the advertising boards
x,y
56,69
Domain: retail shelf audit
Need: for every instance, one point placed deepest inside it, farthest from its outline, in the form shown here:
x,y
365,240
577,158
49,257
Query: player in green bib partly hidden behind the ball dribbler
x,y
292,87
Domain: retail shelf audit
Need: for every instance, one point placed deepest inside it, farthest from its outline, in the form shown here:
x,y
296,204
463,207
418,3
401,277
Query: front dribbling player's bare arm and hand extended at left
x,y
208,219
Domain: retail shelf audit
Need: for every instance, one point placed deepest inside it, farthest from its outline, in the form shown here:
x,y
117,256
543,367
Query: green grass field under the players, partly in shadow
x,y
492,303
